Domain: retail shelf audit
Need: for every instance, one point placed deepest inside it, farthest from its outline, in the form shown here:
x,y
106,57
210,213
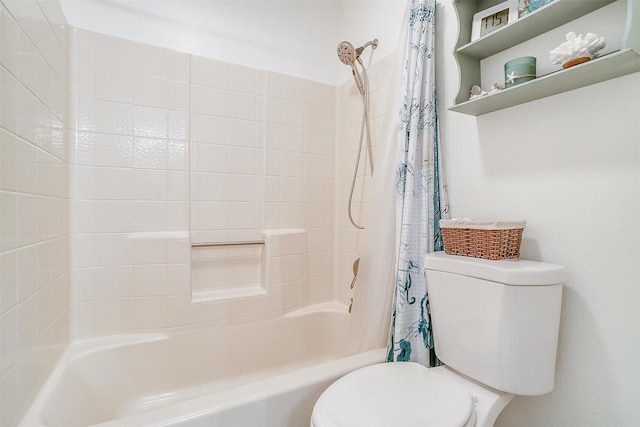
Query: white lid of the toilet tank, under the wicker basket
x,y
507,271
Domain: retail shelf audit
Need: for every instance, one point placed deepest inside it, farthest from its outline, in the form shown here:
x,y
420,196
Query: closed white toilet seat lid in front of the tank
x,y
394,394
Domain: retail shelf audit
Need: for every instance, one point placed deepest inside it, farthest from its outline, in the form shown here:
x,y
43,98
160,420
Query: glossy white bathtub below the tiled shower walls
x,y
264,373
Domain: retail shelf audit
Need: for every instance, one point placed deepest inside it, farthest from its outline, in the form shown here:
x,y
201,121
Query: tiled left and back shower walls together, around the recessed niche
x,y
136,192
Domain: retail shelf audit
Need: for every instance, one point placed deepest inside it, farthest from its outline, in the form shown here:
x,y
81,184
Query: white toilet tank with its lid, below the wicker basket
x,y
497,321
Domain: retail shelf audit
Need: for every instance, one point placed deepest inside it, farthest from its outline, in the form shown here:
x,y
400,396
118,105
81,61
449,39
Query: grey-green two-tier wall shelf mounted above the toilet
x,y
559,12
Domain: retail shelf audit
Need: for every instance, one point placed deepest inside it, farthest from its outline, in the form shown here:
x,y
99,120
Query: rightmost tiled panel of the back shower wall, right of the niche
x,y
299,191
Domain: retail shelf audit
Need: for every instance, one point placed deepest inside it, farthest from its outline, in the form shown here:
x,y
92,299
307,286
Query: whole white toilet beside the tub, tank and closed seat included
x,y
495,326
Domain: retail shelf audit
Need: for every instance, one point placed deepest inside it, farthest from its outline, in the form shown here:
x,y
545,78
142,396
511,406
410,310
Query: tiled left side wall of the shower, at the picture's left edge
x,y
34,241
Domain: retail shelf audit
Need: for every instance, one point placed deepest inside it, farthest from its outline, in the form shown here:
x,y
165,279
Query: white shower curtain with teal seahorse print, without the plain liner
x,y
420,191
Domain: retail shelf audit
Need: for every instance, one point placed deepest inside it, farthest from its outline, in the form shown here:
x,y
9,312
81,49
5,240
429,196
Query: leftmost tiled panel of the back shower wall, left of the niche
x,y
130,184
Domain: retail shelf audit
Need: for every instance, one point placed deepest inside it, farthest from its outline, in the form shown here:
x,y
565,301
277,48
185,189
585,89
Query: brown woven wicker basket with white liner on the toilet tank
x,y
482,239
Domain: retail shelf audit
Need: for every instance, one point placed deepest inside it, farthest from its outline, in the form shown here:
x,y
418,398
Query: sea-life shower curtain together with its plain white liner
x,y
391,285
